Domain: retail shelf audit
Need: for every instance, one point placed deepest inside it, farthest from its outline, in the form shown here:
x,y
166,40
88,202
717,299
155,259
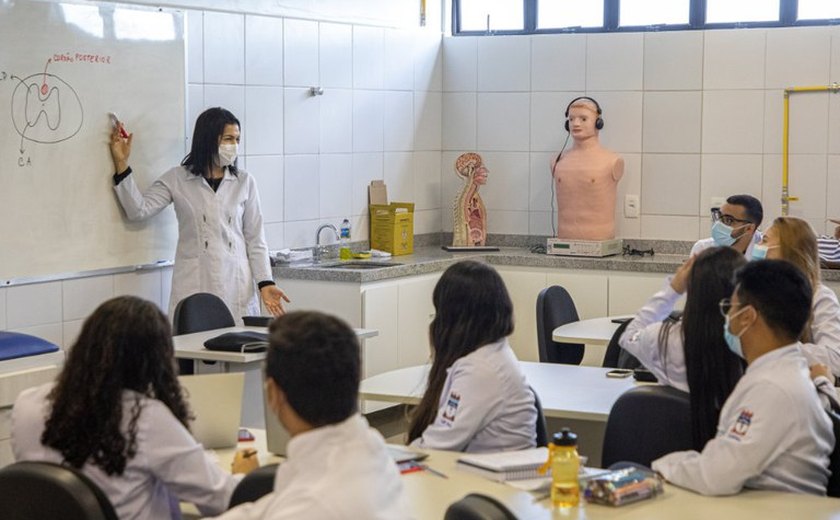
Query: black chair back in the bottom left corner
x,y
45,490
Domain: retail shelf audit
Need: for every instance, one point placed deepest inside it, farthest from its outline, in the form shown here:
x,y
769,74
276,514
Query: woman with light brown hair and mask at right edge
x,y
792,239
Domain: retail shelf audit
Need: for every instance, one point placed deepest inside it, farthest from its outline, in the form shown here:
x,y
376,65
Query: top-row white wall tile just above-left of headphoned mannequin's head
x,y
558,62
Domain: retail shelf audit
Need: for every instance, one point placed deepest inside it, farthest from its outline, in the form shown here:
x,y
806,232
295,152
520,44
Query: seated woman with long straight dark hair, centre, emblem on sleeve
x,y
477,398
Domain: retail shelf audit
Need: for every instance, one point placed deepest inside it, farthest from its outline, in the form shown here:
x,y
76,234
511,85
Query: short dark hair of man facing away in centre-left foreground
x,y
315,359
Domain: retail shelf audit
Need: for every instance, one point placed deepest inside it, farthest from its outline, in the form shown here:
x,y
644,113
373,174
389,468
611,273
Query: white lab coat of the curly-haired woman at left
x,y
169,464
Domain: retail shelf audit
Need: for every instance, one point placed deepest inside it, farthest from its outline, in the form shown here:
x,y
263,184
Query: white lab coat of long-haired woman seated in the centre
x,y
485,405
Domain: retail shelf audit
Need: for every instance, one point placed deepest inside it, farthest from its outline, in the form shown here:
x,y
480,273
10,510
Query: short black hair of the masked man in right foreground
x,y
780,292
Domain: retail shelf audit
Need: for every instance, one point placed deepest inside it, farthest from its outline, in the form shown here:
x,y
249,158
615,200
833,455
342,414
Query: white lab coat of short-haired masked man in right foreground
x,y
772,434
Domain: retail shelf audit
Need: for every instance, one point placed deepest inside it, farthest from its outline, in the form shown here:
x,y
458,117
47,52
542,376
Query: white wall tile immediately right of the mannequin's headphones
x,y
622,114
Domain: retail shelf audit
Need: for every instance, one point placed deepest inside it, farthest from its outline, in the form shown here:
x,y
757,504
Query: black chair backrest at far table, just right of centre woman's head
x,y
554,308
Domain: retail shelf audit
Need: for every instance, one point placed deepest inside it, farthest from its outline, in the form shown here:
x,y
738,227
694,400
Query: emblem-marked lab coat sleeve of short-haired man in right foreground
x,y
750,440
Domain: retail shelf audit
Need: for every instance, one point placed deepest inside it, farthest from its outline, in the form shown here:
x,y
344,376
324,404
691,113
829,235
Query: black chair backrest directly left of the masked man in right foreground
x,y
646,423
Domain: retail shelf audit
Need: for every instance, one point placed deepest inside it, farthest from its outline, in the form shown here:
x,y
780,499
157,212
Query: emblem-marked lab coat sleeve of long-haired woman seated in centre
x,y
469,403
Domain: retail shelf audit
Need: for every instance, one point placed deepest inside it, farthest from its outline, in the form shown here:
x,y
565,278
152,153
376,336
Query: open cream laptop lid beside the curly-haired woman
x,y
216,403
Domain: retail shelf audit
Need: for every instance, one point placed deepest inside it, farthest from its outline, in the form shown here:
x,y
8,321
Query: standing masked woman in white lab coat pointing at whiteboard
x,y
221,244
